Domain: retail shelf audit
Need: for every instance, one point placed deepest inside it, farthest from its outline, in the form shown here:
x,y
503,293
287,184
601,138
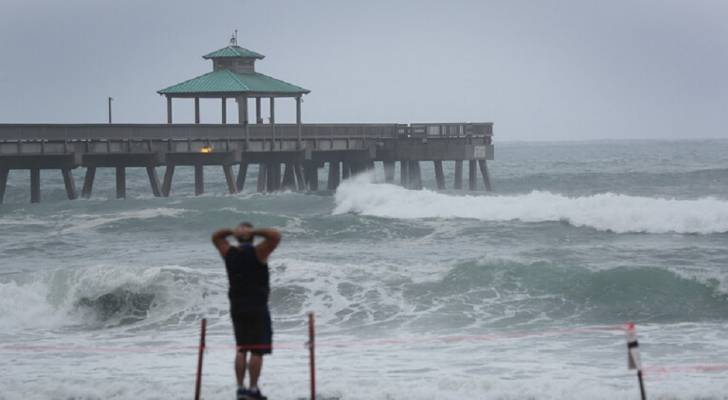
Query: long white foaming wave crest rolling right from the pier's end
x,y
605,212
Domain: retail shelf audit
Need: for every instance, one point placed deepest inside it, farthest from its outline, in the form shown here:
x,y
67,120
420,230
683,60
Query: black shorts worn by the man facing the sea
x,y
253,330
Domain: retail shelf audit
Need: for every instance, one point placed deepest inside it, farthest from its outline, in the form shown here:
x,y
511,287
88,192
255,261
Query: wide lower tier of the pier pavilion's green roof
x,y
226,81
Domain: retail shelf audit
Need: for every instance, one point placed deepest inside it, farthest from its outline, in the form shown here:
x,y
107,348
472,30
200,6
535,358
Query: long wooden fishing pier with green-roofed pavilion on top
x,y
288,156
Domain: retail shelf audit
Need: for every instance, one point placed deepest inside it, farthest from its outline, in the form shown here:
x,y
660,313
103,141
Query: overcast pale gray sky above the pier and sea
x,y
541,70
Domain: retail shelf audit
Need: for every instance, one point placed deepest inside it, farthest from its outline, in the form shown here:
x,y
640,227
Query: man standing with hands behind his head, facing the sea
x,y
247,270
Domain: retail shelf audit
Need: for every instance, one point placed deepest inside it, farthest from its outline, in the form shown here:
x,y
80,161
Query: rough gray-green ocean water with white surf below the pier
x,y
521,293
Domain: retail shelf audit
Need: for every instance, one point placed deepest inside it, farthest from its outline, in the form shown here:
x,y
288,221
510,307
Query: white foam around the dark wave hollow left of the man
x,y
50,299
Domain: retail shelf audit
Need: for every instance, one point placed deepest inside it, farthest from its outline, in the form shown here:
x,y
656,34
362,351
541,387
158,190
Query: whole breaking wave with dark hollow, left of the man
x,y
103,296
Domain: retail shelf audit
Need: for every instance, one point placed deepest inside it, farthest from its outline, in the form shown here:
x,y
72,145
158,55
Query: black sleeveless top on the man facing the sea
x,y
248,277
